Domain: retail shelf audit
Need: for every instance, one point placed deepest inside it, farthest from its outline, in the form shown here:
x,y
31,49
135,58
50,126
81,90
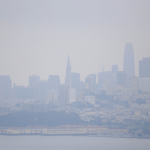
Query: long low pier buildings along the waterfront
x,y
66,130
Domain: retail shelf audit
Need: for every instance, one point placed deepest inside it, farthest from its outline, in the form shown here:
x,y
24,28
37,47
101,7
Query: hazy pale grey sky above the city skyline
x,y
36,36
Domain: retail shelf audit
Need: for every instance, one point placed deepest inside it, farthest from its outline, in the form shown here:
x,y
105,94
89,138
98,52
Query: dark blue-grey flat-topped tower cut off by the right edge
x,y
144,68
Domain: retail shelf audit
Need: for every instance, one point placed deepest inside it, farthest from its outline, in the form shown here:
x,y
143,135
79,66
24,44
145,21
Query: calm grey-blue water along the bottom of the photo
x,y
71,143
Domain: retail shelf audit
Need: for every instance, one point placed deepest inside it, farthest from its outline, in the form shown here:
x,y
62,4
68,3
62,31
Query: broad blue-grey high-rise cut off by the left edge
x,y
5,87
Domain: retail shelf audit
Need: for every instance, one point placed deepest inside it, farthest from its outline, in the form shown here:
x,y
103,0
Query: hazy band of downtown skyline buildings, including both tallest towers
x,y
123,85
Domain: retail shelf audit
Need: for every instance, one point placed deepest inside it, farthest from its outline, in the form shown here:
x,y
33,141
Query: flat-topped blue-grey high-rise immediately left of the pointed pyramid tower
x,y
54,83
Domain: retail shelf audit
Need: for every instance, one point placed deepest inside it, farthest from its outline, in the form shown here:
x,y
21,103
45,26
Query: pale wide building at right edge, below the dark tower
x,y
144,84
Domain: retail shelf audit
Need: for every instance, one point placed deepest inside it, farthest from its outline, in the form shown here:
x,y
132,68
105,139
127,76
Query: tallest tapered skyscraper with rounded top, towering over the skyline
x,y
128,64
